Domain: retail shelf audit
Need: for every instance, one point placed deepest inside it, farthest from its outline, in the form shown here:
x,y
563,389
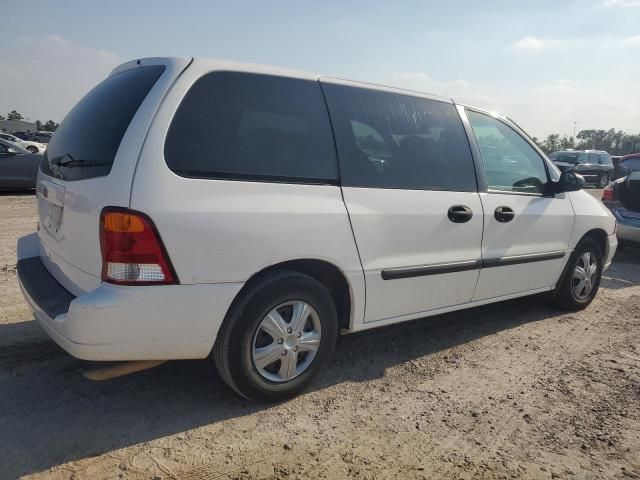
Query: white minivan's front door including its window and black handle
x,y
526,232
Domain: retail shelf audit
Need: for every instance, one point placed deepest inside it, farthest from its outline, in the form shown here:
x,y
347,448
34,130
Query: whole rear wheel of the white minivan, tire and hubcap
x,y
277,338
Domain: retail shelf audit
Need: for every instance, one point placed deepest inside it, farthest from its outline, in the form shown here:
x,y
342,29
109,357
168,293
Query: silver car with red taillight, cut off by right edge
x,y
622,197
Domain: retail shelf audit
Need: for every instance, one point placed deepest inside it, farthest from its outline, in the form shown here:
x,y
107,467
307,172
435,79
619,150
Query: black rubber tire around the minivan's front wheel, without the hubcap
x,y
565,296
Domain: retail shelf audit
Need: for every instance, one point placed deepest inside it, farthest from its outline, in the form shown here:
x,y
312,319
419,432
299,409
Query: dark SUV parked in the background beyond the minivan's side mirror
x,y
595,166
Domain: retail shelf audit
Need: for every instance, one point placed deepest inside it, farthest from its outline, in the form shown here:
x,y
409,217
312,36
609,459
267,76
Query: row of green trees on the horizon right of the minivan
x,y
616,142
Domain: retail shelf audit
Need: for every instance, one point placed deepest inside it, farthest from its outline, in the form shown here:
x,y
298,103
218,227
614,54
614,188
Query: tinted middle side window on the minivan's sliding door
x,y
388,140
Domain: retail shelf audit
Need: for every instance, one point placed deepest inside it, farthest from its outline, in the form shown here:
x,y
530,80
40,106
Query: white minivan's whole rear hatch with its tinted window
x,y
90,163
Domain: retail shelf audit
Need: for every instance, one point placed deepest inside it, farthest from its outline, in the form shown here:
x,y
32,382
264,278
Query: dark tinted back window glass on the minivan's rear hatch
x,y
86,142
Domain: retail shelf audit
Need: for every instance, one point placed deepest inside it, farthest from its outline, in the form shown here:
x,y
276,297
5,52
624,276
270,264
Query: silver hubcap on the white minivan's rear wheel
x,y
286,341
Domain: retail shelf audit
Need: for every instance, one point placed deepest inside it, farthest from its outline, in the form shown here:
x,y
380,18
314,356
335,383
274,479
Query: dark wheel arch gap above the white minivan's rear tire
x,y
327,273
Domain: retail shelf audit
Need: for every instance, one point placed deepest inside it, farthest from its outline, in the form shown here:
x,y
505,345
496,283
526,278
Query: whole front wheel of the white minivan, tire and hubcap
x,y
582,276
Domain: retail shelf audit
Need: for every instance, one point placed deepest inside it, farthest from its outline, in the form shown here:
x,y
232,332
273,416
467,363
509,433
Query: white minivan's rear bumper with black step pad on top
x,y
127,323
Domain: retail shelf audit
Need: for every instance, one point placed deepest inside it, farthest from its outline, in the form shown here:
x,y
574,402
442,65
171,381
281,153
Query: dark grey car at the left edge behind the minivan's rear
x,y
18,167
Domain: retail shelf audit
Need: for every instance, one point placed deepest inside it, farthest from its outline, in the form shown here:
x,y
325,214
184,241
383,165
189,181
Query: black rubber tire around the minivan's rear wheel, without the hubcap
x,y
232,352
